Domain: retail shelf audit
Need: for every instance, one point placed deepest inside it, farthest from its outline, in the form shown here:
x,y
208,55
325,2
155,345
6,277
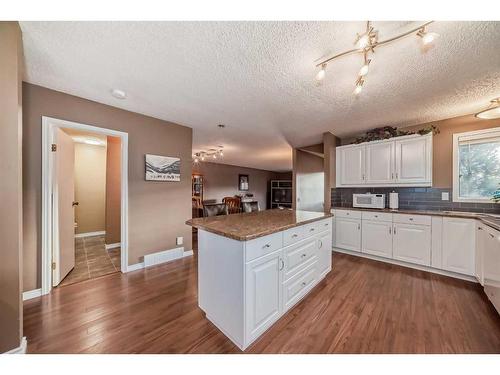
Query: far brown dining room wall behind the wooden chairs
x,y
221,181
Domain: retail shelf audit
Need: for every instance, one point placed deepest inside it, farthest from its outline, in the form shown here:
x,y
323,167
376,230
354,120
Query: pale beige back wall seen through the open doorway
x,y
90,187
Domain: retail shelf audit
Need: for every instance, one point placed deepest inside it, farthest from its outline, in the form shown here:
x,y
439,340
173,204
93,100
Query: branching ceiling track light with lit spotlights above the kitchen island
x,y
367,42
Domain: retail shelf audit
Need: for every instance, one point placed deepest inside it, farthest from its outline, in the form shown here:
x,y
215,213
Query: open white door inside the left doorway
x,y
63,209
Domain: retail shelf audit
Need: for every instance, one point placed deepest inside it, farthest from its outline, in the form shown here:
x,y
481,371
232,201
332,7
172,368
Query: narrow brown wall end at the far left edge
x,y
11,313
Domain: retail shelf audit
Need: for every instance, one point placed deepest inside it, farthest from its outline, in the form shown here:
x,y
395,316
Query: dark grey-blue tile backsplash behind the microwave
x,y
414,199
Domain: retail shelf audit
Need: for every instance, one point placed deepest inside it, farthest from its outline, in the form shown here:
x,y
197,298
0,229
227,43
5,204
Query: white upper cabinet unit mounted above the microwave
x,y
401,161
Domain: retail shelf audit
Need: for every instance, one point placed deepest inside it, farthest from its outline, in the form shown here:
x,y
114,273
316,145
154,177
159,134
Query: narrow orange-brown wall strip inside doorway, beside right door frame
x,y
113,190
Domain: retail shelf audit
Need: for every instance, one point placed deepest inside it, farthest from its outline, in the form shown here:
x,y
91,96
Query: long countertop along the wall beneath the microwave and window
x,y
488,219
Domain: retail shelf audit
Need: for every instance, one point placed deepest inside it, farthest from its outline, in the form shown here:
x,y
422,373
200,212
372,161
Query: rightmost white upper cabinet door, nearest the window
x,y
414,160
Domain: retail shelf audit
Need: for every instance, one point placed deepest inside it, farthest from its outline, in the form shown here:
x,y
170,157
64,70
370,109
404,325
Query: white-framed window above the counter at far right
x,y
476,165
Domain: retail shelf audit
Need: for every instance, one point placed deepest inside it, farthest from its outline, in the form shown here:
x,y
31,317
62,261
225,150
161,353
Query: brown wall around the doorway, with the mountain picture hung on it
x,y
157,210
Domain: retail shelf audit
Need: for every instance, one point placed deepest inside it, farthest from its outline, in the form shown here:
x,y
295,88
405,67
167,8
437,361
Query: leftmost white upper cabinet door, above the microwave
x,y
351,165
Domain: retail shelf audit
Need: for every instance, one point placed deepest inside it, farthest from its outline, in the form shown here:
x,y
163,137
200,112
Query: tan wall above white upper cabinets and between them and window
x,y
442,169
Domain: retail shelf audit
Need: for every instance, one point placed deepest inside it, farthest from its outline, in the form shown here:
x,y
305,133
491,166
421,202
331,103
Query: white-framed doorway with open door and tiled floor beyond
x,y
84,213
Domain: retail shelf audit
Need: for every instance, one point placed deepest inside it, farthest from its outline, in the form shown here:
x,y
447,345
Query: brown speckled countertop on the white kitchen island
x,y
247,226
